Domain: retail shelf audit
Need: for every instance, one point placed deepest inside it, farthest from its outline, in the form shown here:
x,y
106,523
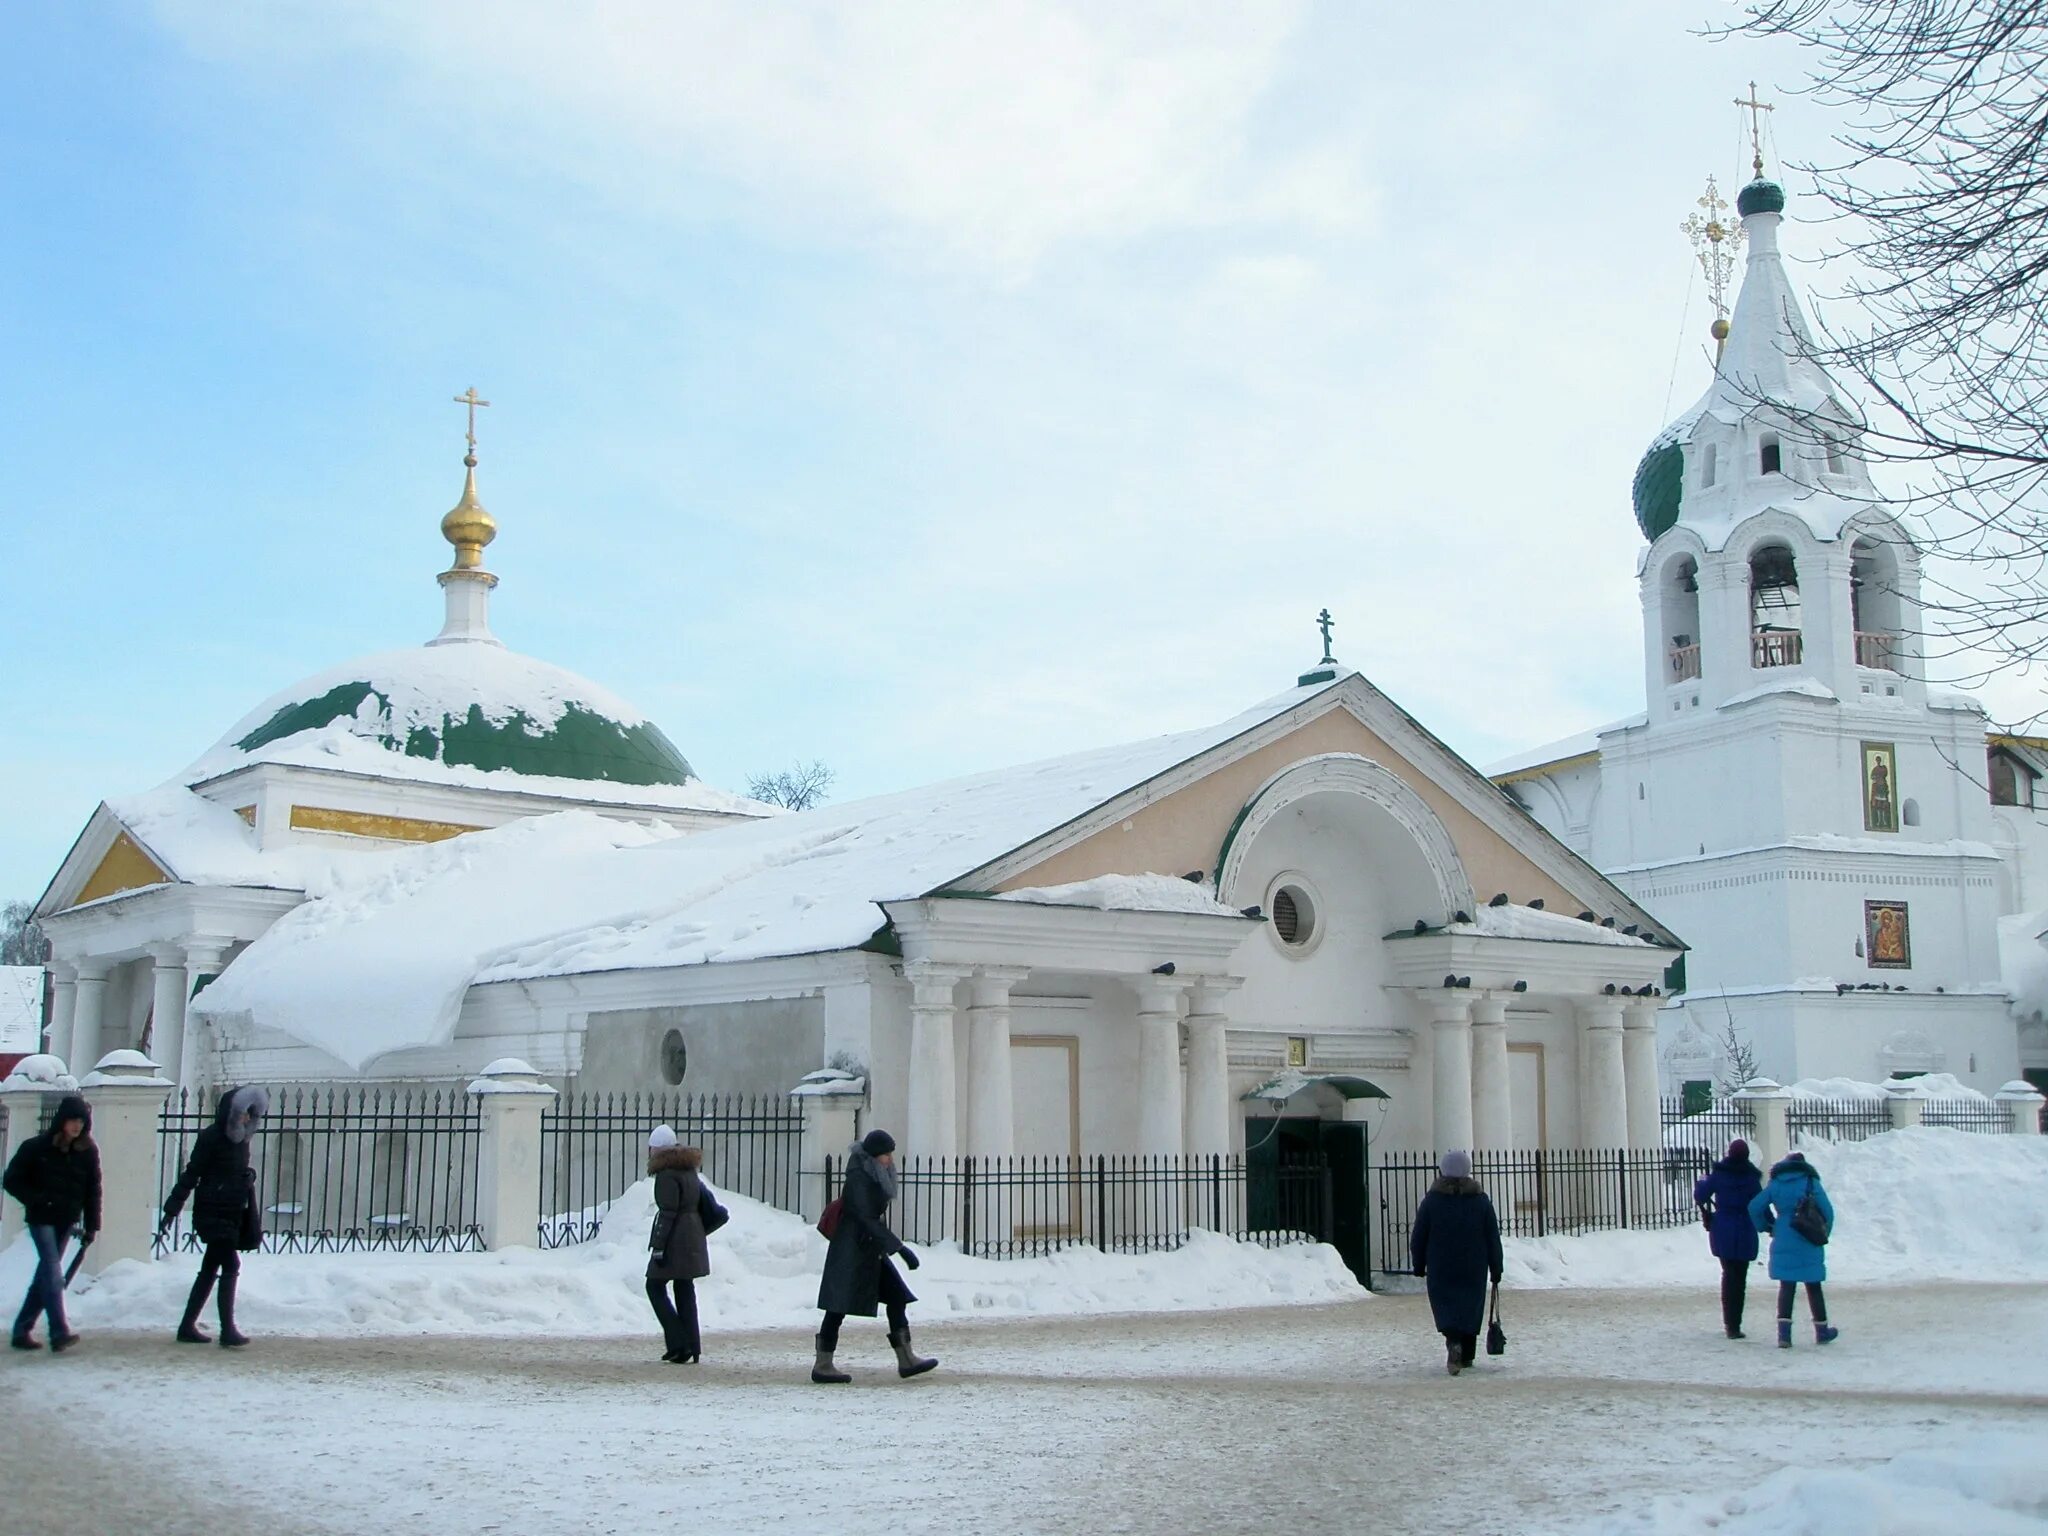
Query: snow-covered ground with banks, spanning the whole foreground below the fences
x,y
1084,1394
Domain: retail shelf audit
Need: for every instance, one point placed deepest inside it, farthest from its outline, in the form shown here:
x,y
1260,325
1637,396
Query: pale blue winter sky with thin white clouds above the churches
x,y
921,388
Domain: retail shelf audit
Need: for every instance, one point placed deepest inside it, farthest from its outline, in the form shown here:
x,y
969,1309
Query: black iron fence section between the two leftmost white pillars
x,y
345,1168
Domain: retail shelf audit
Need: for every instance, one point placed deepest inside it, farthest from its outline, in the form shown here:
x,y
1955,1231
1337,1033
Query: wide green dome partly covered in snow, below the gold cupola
x,y
466,708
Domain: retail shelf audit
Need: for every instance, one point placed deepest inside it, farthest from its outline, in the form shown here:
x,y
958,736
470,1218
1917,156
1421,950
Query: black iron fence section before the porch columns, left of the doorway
x,y
1027,1207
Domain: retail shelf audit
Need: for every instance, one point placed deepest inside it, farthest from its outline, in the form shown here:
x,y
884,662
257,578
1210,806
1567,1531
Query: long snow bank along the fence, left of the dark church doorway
x,y
765,1269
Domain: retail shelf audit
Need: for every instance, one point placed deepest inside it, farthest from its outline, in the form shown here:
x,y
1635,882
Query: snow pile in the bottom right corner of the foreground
x,y
1992,1484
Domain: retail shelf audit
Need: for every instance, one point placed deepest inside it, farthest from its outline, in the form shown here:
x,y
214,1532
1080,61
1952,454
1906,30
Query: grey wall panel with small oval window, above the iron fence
x,y
753,1048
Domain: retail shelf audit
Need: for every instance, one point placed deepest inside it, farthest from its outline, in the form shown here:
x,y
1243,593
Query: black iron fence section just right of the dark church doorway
x,y
1547,1193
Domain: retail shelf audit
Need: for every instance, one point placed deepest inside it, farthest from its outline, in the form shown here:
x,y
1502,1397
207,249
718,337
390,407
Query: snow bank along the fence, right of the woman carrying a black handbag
x,y
1912,1205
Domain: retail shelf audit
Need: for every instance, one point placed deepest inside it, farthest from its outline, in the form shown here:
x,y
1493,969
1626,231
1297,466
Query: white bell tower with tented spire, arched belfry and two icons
x,y
1797,800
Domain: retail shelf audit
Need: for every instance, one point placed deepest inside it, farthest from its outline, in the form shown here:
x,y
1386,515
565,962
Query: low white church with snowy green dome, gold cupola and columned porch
x,y
425,861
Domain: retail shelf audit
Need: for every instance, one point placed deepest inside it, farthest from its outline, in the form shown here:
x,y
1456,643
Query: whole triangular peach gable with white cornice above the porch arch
x,y
1181,820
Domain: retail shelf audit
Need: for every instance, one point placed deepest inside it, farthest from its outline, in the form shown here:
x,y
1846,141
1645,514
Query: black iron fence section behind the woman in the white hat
x,y
595,1148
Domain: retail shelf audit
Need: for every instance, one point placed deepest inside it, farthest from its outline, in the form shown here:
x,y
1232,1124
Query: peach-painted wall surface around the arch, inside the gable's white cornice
x,y
1185,833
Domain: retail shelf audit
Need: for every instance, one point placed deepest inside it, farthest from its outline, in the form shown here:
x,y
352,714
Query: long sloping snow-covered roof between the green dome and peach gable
x,y
382,959
